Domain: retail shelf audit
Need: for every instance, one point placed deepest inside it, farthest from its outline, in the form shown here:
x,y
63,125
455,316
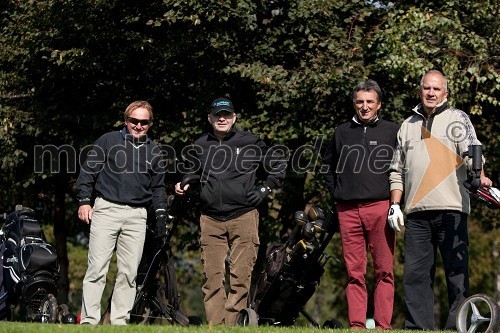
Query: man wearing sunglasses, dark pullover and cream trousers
x,y
124,173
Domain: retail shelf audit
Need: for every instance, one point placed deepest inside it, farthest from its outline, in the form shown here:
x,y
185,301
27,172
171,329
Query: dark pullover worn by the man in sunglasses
x,y
121,171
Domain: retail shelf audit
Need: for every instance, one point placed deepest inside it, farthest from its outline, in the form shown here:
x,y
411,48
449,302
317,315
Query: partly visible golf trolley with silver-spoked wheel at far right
x,y
479,312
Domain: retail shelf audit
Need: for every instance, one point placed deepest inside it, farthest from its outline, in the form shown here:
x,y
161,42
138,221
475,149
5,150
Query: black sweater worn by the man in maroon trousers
x,y
356,161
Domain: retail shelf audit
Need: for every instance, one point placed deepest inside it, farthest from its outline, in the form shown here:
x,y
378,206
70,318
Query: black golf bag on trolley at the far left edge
x,y
30,270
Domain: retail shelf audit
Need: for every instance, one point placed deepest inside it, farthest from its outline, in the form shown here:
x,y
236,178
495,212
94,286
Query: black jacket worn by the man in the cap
x,y
228,171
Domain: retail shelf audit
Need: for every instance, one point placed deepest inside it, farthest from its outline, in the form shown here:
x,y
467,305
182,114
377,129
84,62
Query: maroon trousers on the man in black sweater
x,y
363,225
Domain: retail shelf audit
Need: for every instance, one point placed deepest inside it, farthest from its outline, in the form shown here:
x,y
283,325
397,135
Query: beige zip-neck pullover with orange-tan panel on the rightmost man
x,y
431,161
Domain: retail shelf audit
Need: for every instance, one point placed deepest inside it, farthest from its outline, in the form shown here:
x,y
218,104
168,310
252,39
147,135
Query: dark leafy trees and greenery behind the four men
x,y
68,69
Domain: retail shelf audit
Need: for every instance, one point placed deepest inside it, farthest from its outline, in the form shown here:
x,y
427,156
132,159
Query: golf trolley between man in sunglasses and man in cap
x,y
156,299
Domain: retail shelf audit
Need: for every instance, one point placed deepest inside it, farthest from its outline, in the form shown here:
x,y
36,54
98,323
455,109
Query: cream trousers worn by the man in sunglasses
x,y
124,227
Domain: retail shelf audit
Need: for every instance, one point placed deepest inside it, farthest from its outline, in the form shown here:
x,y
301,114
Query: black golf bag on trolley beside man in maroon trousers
x,y
292,273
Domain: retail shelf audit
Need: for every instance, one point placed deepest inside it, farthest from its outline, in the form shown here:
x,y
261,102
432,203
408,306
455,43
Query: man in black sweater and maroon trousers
x,y
357,162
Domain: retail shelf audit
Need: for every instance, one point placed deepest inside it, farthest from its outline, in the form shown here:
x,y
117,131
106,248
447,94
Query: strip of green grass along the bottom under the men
x,y
17,327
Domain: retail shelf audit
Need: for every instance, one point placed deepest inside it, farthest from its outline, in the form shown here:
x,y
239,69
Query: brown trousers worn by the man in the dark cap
x,y
237,240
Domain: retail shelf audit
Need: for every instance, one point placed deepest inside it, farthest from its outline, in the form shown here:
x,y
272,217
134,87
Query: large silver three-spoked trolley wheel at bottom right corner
x,y
478,313
